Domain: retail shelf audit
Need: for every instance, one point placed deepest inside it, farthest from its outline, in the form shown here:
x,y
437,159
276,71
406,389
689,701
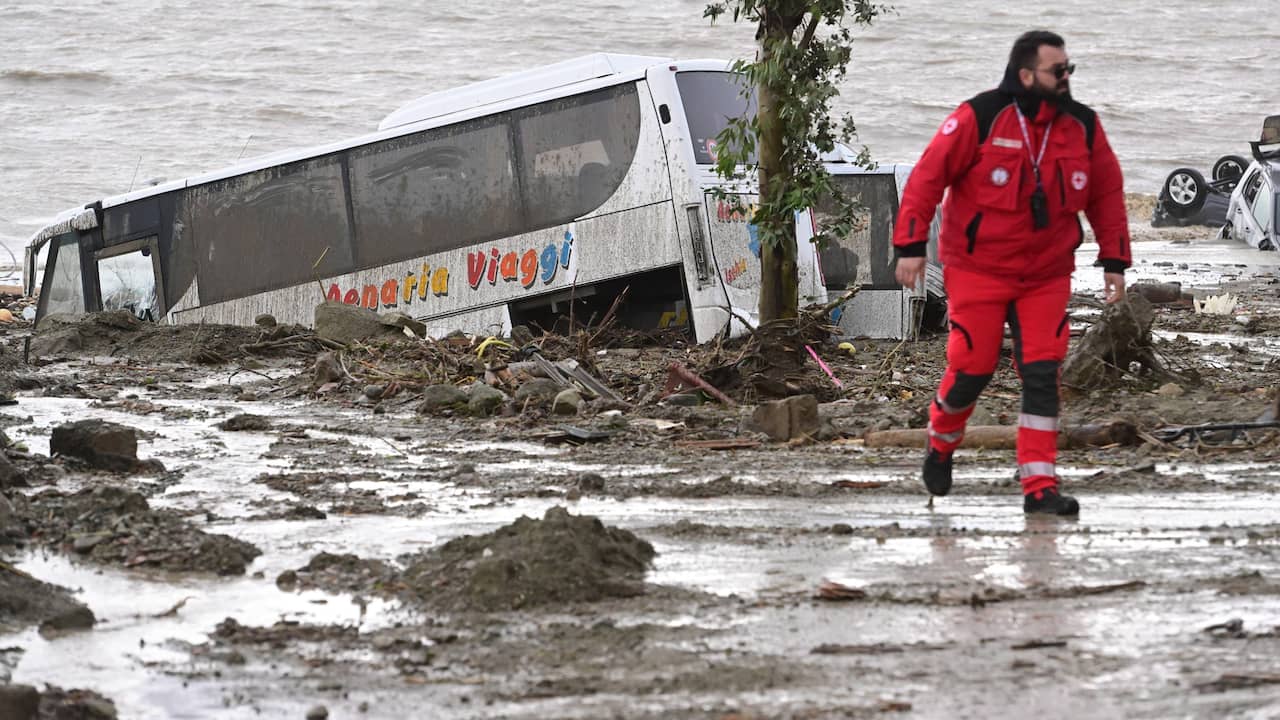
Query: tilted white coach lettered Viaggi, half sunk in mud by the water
x,y
510,202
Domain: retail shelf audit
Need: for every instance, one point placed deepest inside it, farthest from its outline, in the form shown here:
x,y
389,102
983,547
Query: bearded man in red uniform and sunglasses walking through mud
x,y
1021,162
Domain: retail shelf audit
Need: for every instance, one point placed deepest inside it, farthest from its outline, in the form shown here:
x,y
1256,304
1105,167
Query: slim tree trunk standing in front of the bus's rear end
x,y
779,277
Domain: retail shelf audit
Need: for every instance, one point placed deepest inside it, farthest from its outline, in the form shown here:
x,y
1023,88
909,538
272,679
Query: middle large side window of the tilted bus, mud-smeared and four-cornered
x,y
433,192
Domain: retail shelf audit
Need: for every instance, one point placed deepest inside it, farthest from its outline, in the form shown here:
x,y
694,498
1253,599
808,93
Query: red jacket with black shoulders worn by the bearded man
x,y
980,154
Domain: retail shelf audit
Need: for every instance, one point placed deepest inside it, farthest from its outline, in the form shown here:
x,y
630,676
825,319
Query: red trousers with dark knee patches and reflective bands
x,y
980,307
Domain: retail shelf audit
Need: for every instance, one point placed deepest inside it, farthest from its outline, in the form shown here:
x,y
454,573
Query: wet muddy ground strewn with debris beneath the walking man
x,y
1163,600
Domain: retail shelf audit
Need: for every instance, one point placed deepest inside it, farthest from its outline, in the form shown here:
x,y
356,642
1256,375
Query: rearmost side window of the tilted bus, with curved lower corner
x,y
577,152
